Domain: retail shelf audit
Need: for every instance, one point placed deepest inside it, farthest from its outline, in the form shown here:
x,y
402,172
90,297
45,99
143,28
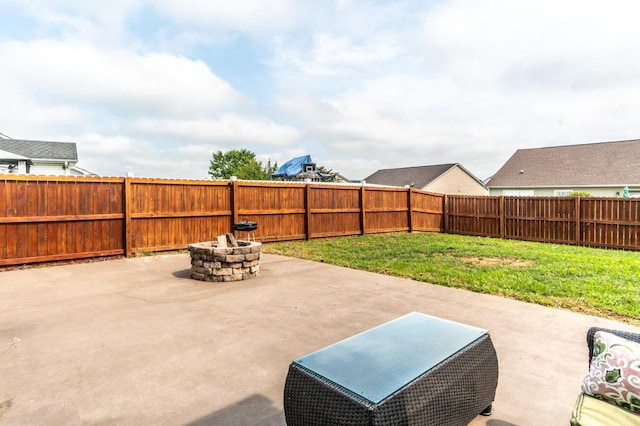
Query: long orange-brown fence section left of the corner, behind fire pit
x,y
49,218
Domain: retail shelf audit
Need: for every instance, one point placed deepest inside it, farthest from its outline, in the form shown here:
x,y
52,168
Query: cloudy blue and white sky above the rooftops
x,y
155,87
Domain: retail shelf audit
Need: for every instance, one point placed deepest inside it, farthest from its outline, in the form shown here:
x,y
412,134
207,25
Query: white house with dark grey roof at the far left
x,y
39,158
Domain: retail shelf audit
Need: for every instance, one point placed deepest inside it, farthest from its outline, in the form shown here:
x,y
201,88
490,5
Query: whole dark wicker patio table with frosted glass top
x,y
416,369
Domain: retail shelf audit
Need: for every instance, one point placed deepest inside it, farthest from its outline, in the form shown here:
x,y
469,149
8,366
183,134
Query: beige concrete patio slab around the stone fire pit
x,y
136,341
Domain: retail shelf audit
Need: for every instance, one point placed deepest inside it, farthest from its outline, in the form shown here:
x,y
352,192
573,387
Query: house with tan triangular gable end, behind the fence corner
x,y
444,178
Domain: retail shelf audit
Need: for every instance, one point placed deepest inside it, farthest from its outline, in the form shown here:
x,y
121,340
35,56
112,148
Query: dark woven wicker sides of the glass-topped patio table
x,y
453,392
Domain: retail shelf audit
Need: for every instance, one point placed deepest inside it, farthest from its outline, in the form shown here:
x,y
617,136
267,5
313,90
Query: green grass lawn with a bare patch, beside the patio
x,y
599,282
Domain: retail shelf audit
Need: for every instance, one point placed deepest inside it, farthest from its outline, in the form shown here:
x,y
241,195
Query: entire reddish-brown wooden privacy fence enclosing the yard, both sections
x,y
49,218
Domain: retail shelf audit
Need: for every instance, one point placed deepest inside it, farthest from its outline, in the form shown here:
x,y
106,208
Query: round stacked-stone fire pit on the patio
x,y
224,264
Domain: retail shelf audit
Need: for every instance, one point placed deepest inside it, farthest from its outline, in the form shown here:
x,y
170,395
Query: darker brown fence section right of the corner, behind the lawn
x,y
594,222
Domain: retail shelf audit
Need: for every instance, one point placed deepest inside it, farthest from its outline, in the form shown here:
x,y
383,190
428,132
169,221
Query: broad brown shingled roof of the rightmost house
x,y
604,163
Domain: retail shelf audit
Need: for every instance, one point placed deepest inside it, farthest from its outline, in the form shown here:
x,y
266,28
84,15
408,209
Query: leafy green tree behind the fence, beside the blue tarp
x,y
241,163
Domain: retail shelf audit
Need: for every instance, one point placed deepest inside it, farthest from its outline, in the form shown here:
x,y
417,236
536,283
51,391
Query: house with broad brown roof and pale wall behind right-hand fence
x,y
602,169
